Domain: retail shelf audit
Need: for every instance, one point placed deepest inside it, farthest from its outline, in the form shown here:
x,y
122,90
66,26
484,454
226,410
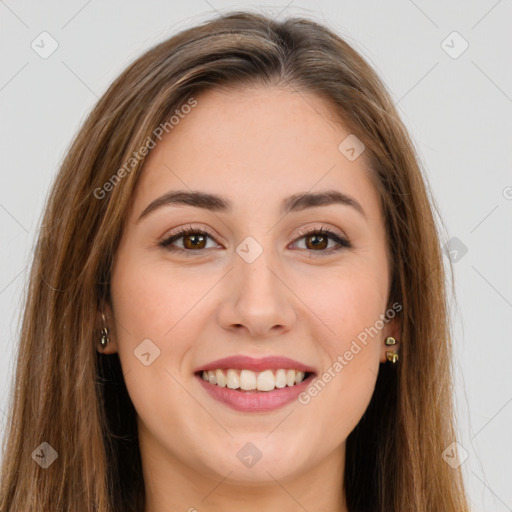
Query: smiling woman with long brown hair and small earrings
x,y
237,299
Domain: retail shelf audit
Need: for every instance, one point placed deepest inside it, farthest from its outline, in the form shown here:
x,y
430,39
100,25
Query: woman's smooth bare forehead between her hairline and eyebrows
x,y
256,146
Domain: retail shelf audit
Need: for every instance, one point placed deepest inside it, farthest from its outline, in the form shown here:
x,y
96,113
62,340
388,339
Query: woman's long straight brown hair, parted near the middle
x,y
73,398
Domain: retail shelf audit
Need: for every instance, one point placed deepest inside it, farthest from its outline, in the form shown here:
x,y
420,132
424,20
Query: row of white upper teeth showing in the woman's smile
x,y
247,380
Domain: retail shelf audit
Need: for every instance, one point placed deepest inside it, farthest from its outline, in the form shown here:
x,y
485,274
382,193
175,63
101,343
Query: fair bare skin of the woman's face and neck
x,y
255,147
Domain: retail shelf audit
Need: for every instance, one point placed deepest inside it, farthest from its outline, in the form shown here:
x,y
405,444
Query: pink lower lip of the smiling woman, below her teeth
x,y
258,401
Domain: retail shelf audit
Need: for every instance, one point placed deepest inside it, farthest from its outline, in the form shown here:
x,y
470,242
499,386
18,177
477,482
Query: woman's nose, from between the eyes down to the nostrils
x,y
257,298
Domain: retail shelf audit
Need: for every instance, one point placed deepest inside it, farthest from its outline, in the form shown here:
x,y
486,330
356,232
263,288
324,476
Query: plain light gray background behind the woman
x,y
458,111
